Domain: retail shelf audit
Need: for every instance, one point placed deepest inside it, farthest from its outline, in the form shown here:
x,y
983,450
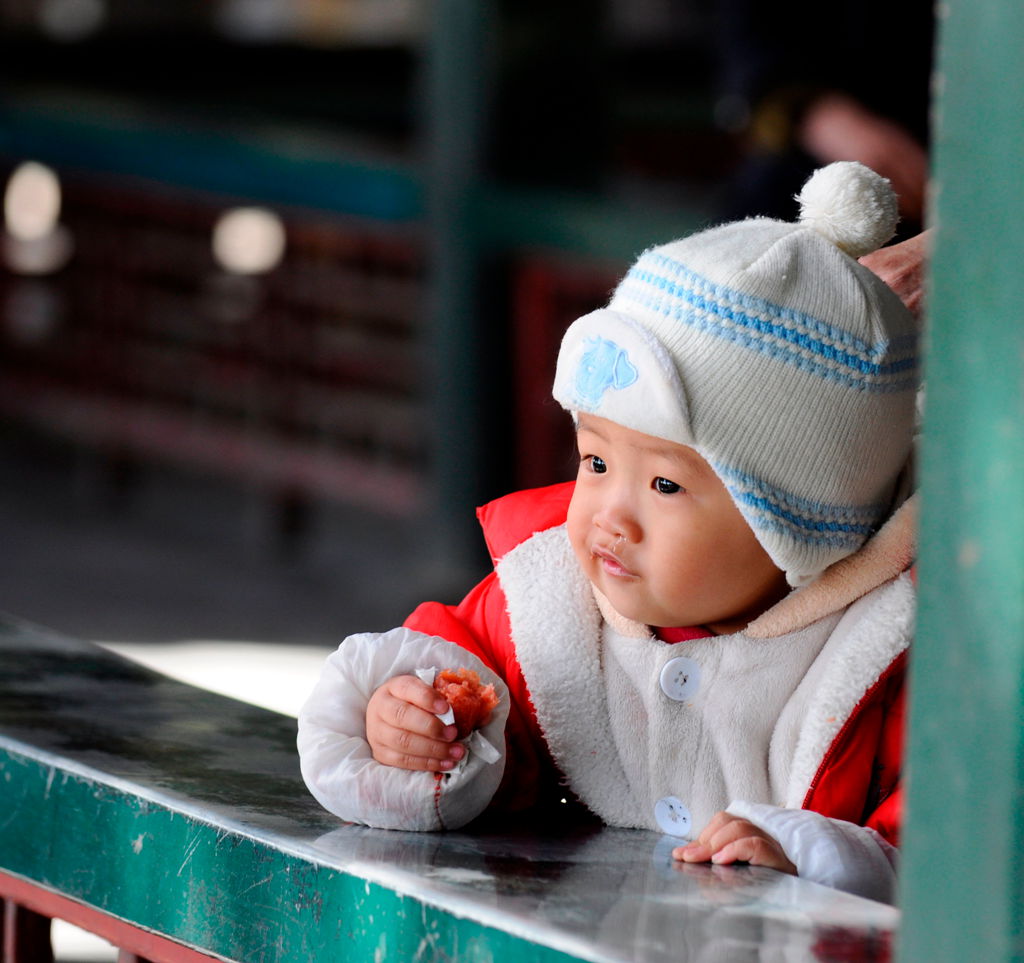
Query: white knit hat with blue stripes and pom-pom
x,y
766,347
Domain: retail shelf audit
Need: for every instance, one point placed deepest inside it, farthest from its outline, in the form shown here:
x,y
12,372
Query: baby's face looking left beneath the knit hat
x,y
657,532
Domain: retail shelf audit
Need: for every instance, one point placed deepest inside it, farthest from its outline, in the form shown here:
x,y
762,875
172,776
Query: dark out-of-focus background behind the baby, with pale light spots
x,y
282,282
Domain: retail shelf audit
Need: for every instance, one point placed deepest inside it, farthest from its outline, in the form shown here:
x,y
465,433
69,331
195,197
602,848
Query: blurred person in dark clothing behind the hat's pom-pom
x,y
807,83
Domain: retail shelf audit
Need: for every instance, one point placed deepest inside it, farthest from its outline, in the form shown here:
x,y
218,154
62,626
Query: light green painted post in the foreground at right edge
x,y
964,882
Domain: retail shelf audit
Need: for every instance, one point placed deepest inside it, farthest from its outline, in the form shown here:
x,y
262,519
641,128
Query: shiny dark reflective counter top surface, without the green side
x,y
596,894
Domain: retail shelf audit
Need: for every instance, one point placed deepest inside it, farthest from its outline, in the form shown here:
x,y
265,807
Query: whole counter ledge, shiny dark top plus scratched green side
x,y
184,813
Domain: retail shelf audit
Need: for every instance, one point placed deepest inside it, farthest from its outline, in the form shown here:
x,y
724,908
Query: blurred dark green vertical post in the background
x,y
456,93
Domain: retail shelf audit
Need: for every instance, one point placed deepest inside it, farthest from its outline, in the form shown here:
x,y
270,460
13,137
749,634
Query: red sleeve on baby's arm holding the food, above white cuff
x,y
480,624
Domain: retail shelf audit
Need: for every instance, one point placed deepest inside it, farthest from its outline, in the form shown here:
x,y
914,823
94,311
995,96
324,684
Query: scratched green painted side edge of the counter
x,y
217,890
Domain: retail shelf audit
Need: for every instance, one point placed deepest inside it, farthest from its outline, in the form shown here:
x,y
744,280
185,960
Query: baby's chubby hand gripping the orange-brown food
x,y
404,731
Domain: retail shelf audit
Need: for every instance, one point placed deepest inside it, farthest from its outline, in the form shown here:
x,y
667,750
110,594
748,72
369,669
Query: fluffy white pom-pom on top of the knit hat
x,y
851,206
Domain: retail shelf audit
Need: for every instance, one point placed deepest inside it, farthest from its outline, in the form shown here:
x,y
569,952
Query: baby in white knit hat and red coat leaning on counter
x,y
703,635
